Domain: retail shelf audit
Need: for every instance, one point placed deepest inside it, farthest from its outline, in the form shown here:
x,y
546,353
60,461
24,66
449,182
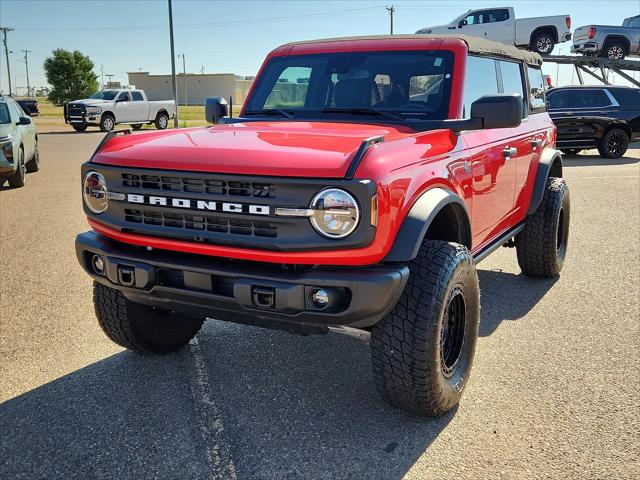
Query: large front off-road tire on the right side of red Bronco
x,y
407,350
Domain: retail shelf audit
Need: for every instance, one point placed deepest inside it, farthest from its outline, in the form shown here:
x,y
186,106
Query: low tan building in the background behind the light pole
x,y
198,86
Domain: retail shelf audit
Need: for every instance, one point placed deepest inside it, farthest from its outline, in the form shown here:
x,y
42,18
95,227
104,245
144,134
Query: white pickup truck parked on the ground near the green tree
x,y
107,108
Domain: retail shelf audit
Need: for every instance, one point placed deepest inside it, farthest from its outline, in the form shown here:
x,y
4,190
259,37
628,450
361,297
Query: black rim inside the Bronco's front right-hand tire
x,y
453,331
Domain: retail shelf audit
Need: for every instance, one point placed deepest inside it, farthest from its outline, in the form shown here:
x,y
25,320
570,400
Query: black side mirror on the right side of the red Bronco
x,y
503,110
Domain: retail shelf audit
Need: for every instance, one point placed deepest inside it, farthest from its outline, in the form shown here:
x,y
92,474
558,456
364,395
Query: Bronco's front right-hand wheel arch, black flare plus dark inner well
x,y
438,214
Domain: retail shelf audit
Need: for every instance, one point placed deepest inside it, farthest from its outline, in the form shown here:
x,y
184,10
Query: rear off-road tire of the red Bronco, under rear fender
x,y
542,245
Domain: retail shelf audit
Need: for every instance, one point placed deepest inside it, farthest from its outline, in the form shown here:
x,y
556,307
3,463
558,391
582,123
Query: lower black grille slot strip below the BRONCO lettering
x,y
209,223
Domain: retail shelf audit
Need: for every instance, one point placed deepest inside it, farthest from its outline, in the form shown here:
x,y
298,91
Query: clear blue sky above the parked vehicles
x,y
234,36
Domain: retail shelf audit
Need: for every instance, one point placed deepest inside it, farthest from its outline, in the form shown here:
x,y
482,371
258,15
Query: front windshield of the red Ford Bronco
x,y
395,85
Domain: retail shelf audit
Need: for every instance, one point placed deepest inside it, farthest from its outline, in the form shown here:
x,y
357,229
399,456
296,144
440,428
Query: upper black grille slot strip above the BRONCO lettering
x,y
199,185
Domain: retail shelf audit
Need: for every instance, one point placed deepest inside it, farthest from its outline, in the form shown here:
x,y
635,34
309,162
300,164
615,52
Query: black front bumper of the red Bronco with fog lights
x,y
257,293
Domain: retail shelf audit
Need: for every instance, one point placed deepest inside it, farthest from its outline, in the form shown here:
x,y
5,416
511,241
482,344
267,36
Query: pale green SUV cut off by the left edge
x,y
18,144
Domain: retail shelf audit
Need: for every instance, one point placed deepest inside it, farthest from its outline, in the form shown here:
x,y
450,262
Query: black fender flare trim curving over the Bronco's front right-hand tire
x,y
415,225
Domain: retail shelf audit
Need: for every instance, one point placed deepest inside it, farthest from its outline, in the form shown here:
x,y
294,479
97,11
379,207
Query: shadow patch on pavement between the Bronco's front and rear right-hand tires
x,y
507,296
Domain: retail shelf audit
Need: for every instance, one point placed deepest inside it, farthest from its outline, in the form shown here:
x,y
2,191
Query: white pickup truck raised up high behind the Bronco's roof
x,y
539,34
